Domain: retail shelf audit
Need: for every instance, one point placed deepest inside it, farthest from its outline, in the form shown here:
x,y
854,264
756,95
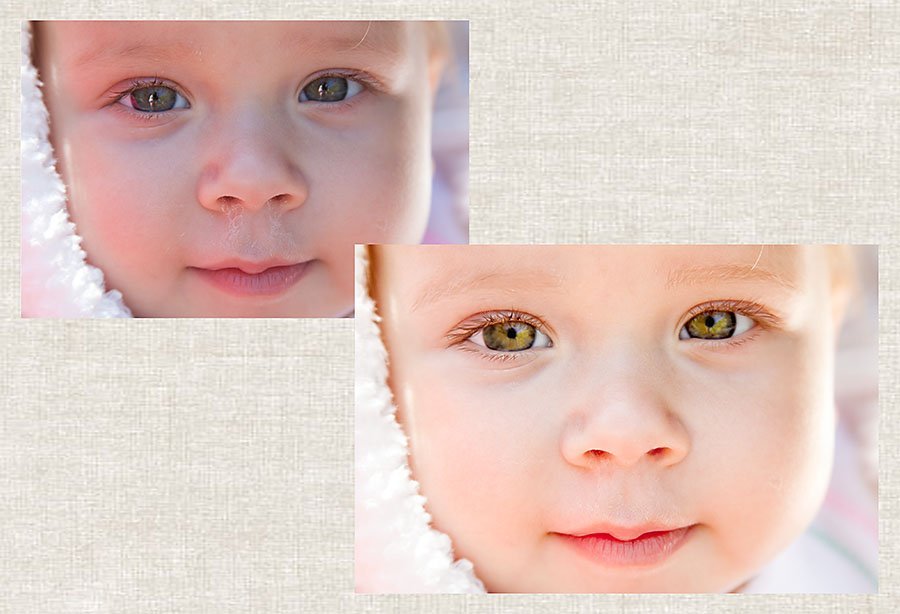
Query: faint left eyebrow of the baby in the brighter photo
x,y
448,286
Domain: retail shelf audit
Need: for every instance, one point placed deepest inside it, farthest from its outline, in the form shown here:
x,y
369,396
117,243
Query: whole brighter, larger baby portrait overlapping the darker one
x,y
616,419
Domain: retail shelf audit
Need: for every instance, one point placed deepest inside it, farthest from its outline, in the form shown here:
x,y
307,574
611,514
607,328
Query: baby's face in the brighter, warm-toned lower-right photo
x,y
616,418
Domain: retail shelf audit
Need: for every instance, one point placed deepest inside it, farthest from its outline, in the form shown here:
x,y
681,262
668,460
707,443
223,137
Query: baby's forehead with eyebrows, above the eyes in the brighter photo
x,y
560,267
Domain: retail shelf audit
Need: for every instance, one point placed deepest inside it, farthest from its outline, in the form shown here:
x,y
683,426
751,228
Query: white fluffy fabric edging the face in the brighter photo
x,y
397,551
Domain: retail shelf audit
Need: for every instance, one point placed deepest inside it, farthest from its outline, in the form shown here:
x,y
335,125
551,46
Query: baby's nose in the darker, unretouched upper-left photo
x,y
251,169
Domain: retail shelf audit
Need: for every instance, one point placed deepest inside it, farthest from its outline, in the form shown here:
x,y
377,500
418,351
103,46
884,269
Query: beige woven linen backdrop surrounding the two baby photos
x,y
205,466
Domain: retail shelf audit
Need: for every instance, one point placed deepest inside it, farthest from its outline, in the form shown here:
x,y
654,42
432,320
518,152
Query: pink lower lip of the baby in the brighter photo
x,y
647,550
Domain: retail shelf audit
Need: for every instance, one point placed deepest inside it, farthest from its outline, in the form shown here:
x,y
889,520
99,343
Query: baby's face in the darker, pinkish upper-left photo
x,y
227,168
